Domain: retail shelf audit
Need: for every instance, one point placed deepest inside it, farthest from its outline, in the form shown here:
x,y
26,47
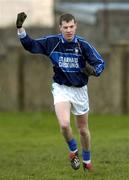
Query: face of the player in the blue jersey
x,y
68,29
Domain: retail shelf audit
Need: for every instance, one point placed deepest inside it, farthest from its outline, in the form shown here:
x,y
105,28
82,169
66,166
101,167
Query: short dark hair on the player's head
x,y
66,17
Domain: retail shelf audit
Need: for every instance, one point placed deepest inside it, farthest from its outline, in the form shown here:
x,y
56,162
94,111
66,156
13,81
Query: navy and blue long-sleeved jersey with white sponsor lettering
x,y
68,58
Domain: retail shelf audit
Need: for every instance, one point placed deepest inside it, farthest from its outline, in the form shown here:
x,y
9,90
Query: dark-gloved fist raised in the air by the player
x,y
20,19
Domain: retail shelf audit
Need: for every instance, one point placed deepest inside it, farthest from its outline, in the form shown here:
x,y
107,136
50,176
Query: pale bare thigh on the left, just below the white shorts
x,y
62,110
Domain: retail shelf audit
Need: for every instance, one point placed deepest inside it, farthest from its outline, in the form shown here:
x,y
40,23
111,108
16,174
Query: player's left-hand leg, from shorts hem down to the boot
x,y
62,110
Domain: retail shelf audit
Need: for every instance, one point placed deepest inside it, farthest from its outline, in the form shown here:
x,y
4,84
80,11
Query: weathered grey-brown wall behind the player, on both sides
x,y
25,81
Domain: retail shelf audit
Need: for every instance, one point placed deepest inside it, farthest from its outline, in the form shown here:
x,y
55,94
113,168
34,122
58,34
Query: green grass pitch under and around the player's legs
x,y
32,148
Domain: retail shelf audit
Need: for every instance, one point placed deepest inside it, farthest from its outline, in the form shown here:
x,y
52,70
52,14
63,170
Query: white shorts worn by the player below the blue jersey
x,y
78,97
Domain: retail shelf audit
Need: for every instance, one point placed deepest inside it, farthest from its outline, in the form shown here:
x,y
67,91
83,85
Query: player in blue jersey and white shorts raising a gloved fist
x,y
74,60
